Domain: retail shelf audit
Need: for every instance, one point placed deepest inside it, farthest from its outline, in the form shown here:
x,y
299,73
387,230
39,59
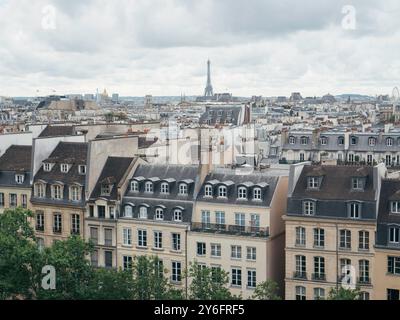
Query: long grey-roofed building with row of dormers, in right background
x,y
351,147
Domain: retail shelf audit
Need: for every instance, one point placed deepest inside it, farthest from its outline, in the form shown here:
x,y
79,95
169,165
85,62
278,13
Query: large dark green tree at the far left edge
x,y
19,255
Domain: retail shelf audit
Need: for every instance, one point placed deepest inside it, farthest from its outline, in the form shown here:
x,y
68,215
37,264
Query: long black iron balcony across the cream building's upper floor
x,y
230,229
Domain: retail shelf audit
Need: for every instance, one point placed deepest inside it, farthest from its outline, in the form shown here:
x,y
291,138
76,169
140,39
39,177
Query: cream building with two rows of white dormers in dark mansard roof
x,y
155,216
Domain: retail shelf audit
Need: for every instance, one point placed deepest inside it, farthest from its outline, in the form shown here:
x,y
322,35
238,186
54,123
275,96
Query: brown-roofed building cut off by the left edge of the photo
x,y
15,173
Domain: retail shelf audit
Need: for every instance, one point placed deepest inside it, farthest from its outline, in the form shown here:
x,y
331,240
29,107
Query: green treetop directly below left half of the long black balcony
x,y
207,283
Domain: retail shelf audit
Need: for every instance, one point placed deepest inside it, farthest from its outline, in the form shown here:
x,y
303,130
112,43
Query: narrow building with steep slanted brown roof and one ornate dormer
x,y
103,209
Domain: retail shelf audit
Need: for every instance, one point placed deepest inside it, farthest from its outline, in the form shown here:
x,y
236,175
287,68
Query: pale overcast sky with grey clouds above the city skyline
x,y
160,47
